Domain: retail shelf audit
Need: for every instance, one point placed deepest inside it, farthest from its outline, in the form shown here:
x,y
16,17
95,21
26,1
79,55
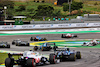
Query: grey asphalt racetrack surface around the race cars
x,y
90,56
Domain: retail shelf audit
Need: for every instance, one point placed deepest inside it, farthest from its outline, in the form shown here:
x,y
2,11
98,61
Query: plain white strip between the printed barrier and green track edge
x,y
56,30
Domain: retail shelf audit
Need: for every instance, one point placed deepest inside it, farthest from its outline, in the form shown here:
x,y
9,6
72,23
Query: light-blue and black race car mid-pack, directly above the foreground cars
x,y
45,47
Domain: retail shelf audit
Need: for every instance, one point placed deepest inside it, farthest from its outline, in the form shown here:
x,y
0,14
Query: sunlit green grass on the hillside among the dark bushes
x,y
34,5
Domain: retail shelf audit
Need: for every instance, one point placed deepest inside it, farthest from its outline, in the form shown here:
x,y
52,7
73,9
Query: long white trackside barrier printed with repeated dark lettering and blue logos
x,y
40,26
